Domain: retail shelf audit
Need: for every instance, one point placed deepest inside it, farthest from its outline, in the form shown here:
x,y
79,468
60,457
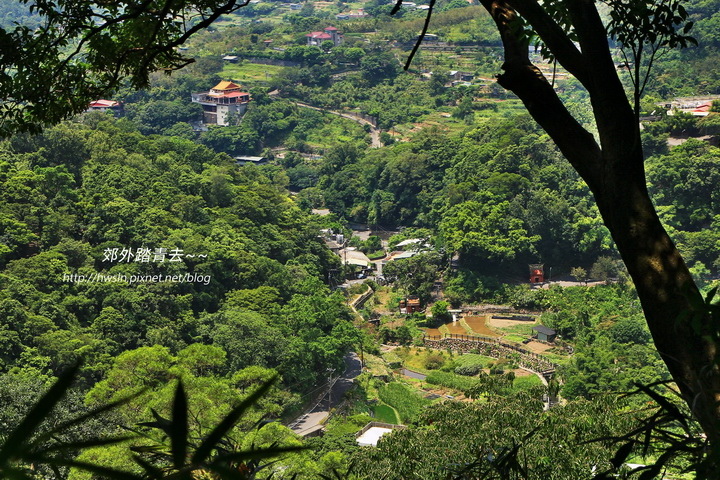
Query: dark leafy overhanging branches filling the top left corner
x,y
77,51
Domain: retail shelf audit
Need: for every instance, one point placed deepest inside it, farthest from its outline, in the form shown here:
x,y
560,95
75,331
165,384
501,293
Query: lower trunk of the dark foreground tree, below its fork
x,y
664,286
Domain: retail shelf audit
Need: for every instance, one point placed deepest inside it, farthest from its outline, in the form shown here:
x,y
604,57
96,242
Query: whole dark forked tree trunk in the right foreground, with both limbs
x,y
614,171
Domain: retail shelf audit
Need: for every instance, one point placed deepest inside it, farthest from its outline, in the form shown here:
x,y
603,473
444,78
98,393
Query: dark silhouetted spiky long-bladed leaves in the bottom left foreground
x,y
176,455
